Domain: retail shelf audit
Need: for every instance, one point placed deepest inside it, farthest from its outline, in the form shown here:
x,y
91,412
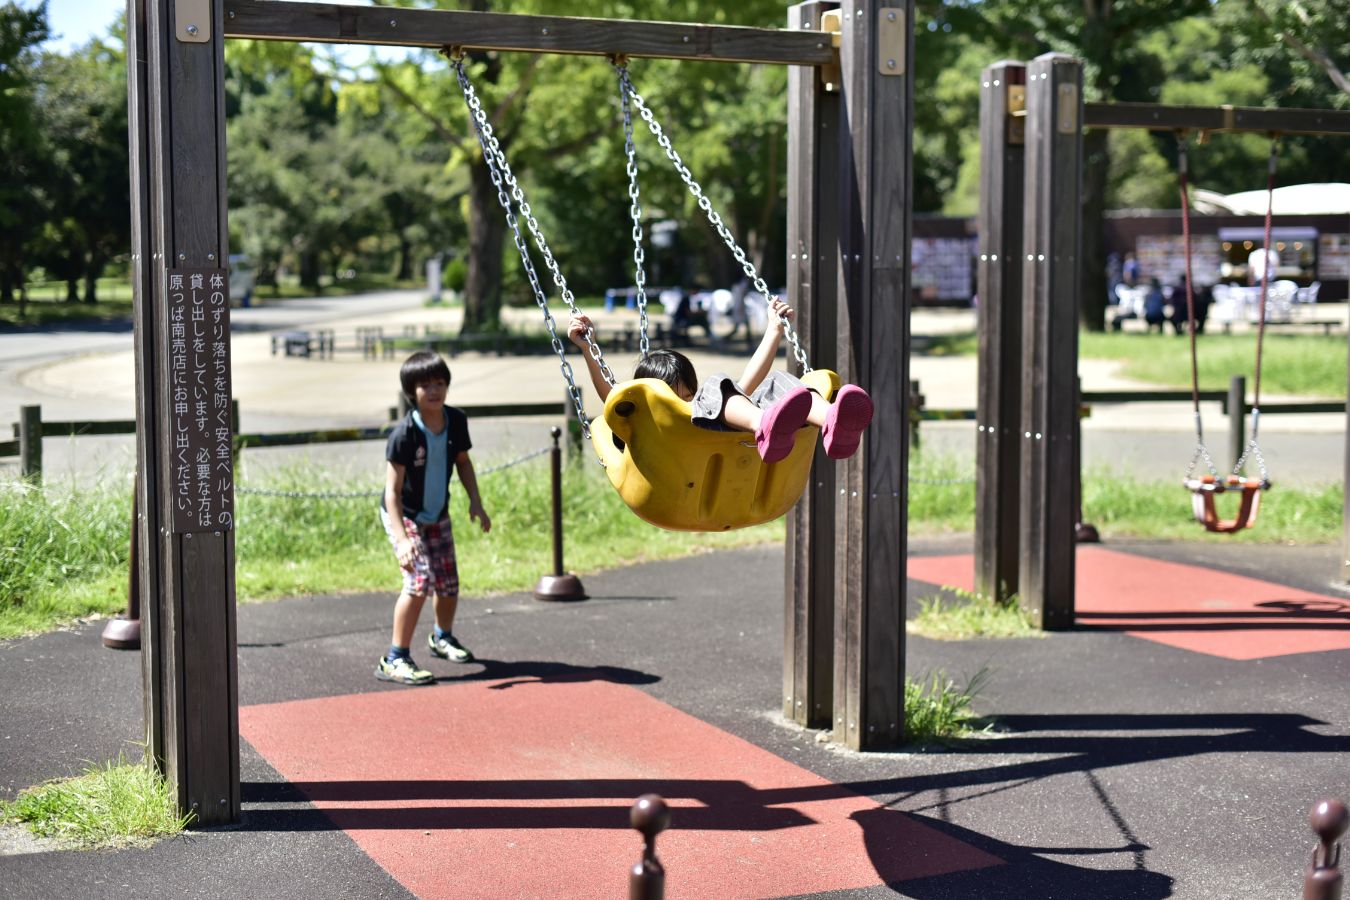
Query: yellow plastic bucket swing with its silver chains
x,y
668,470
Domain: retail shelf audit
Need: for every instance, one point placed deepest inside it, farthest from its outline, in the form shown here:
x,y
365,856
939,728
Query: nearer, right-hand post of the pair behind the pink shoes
x,y
877,106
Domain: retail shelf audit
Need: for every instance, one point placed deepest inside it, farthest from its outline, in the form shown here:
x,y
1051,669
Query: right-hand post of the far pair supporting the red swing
x,y
1051,338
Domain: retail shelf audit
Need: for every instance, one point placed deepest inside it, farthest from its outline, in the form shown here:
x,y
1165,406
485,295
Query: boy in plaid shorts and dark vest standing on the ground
x,y
415,512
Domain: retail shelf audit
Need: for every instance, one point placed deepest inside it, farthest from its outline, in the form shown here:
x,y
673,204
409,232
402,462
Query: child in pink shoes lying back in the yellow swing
x,y
772,405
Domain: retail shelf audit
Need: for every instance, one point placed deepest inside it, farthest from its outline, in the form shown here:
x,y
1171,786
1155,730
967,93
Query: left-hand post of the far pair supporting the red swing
x,y
998,473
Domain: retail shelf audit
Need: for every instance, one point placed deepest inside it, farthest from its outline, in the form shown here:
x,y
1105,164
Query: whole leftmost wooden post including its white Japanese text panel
x,y
183,401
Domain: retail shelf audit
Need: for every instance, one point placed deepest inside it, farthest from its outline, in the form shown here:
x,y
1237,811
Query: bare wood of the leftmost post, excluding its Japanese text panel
x,y
179,210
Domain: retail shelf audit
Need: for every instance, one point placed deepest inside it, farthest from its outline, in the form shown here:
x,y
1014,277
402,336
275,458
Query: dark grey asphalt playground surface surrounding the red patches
x,y
1118,768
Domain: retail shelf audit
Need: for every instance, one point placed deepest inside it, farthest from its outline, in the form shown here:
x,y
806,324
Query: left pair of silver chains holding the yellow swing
x,y
503,177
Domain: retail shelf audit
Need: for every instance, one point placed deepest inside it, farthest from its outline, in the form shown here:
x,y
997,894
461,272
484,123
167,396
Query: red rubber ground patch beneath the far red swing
x,y
1185,607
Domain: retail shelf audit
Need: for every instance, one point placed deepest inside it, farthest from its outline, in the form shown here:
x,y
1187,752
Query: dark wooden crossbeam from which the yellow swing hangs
x,y
402,28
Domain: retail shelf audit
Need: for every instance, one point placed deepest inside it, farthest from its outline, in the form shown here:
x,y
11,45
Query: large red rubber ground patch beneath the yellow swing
x,y
523,790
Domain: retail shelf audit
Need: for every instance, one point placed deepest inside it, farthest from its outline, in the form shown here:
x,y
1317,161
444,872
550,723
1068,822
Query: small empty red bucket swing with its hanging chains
x,y
1208,488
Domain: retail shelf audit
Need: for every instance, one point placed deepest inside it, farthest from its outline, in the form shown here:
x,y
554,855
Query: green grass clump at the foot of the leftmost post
x,y
115,805
